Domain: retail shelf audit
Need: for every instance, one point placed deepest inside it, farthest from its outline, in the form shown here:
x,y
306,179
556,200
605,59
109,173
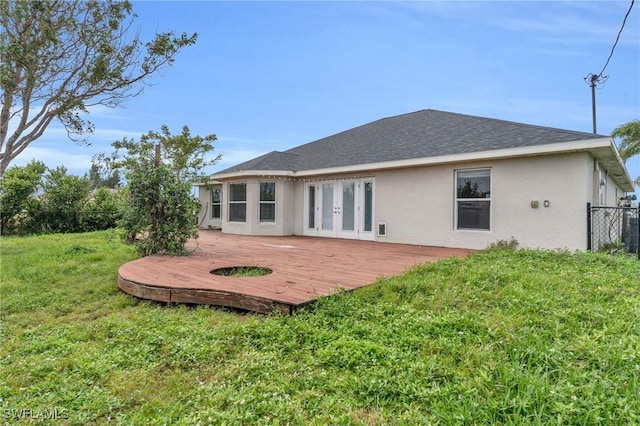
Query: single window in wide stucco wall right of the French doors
x,y
473,199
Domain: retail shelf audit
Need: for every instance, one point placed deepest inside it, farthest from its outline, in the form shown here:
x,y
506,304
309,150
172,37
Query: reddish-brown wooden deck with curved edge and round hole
x,y
304,268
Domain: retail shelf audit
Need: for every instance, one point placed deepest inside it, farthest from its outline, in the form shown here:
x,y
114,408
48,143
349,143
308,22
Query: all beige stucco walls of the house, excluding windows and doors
x,y
419,207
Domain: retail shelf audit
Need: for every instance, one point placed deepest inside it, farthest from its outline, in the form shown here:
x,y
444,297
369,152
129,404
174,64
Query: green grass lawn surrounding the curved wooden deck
x,y
501,337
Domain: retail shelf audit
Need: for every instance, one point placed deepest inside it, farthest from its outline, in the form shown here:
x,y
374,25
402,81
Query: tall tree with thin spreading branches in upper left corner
x,y
60,57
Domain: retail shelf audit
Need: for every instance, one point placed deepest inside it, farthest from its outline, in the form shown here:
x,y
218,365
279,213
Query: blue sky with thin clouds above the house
x,y
267,76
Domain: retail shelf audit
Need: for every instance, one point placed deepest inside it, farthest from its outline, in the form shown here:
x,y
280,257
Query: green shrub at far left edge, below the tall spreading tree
x,y
17,186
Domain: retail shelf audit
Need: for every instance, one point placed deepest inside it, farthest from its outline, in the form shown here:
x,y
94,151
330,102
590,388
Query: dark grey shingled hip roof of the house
x,y
421,134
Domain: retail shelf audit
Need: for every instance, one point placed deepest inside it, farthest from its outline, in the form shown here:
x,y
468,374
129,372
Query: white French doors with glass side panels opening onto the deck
x,y
339,209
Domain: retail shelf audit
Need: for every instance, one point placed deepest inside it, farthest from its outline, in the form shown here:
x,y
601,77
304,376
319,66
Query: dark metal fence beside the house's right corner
x,y
613,228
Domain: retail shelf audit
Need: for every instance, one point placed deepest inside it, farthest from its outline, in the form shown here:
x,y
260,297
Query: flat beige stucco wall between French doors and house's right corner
x,y
562,180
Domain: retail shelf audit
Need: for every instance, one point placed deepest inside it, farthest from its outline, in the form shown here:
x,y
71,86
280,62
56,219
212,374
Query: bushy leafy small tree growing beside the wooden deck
x,y
161,212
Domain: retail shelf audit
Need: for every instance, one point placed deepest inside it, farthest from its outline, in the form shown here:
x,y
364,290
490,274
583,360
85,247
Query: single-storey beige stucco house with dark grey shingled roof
x,y
428,178
